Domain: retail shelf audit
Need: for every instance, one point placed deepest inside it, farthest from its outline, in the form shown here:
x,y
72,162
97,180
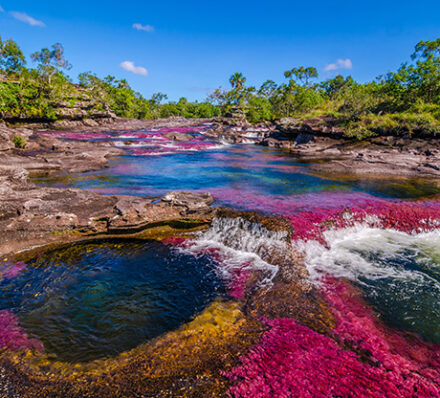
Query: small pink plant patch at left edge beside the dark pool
x,y
12,336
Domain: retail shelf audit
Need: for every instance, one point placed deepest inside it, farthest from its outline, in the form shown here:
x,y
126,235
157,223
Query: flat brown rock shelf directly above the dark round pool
x,y
32,215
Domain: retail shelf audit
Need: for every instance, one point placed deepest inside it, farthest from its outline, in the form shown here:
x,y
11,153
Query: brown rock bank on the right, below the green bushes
x,y
321,141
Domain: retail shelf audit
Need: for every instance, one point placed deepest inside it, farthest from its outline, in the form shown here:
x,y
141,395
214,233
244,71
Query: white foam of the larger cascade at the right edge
x,y
346,252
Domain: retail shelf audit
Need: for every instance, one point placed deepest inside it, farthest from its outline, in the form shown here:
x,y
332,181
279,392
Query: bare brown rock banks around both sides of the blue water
x,y
31,215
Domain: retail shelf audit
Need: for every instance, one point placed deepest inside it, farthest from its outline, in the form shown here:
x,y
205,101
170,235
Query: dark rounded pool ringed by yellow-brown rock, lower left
x,y
96,300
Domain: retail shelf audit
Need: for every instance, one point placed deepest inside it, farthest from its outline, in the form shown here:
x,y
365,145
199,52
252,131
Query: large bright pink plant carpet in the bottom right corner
x,y
364,358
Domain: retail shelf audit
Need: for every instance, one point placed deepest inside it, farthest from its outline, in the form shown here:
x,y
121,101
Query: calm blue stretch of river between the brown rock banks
x,y
245,168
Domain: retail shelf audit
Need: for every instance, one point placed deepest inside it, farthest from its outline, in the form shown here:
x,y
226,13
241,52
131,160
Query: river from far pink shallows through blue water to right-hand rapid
x,y
396,264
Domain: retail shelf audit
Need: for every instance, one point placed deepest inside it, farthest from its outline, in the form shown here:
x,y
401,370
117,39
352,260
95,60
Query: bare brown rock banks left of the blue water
x,y
32,215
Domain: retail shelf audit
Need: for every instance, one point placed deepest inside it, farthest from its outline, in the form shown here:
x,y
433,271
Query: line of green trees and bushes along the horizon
x,y
404,101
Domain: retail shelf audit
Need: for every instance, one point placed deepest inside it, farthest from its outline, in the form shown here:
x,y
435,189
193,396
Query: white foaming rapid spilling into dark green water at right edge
x,y
399,273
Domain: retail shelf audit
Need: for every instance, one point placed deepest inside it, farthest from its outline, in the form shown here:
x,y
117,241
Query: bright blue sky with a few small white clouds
x,y
189,48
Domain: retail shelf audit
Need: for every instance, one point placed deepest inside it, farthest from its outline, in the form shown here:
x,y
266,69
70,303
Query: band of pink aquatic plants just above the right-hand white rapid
x,y
313,213
